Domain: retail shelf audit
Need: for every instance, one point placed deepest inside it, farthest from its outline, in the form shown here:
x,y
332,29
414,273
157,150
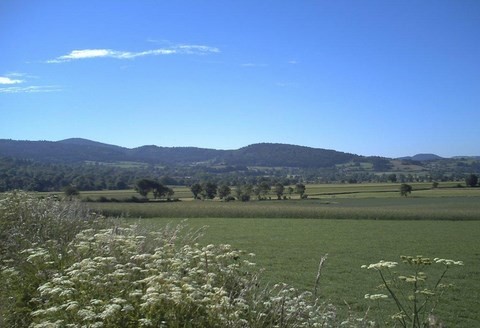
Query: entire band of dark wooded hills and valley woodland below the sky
x,y
90,165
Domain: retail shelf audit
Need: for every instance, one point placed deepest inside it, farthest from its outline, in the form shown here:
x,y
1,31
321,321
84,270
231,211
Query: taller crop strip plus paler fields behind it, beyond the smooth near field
x,y
343,201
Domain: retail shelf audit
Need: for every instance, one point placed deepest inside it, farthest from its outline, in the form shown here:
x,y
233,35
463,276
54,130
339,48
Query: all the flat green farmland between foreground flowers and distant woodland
x,y
354,224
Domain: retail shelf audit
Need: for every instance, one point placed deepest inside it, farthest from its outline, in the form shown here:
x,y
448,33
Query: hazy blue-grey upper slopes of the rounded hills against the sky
x,y
76,150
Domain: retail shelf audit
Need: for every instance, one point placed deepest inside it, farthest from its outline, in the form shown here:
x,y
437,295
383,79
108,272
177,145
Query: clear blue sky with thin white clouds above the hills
x,y
388,78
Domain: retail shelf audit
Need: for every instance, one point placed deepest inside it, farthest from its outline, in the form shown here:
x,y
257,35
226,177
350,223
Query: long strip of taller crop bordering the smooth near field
x,y
391,208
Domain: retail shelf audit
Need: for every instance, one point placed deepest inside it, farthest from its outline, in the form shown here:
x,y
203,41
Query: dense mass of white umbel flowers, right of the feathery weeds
x,y
119,280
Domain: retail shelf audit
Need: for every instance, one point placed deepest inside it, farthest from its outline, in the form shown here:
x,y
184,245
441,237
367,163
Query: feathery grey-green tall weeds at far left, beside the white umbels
x,y
34,237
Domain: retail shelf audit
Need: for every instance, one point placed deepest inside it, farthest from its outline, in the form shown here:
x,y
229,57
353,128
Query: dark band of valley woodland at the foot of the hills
x,y
37,176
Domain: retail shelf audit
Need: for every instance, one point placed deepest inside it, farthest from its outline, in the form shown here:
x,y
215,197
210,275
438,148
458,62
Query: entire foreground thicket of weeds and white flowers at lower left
x,y
63,266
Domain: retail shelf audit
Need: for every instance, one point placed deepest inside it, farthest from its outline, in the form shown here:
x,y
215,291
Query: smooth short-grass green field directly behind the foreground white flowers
x,y
290,249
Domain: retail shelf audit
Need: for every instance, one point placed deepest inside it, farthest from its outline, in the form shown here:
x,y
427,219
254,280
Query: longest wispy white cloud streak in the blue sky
x,y
109,53
